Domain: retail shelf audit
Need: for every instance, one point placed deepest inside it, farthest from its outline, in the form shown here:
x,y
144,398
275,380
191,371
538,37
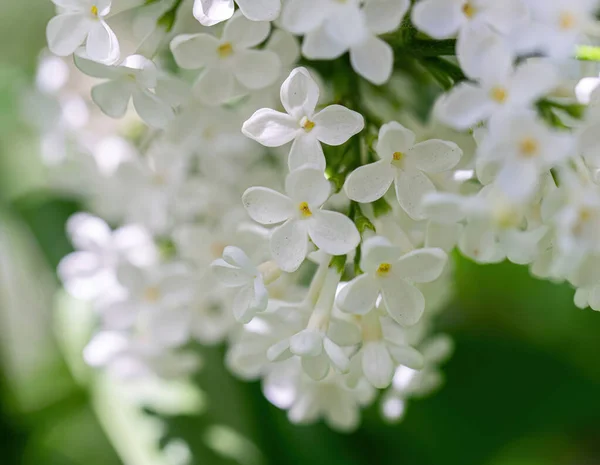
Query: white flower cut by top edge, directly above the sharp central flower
x,y
331,28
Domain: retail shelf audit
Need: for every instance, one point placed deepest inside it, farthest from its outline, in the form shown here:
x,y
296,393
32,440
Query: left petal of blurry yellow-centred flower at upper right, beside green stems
x,y
466,105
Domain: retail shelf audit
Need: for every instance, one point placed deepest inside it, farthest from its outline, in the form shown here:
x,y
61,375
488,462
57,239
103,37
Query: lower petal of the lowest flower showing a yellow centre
x,y
403,301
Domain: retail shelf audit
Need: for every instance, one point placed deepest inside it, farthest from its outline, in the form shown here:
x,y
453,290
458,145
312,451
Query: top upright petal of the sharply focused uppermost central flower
x,y
299,93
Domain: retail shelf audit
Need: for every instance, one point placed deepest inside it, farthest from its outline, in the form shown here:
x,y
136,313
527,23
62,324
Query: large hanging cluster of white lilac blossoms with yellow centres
x,y
249,185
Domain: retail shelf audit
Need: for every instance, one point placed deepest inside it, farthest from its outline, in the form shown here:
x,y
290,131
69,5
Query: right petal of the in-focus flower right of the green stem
x,y
435,156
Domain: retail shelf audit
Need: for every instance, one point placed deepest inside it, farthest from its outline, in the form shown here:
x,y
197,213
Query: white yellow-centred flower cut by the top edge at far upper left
x,y
83,21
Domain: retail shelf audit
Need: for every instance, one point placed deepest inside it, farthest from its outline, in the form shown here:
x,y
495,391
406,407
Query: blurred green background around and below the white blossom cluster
x,y
523,387
